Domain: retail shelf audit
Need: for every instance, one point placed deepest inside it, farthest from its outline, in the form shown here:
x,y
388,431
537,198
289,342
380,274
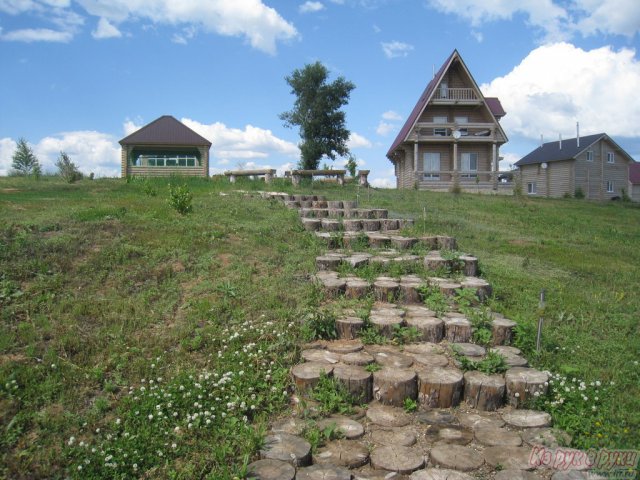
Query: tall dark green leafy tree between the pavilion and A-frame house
x,y
317,111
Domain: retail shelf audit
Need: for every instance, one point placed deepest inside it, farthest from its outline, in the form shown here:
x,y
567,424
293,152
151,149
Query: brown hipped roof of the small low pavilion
x,y
165,130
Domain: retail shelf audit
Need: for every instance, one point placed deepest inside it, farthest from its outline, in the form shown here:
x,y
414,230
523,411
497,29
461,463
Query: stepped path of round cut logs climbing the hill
x,y
465,425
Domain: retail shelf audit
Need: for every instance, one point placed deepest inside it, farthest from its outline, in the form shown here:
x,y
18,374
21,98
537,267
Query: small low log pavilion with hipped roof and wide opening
x,y
165,147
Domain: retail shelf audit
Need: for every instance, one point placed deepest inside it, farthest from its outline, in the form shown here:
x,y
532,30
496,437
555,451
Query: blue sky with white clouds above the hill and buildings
x,y
79,75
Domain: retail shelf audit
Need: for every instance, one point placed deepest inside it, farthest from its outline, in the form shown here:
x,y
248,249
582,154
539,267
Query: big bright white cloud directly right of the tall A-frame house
x,y
559,84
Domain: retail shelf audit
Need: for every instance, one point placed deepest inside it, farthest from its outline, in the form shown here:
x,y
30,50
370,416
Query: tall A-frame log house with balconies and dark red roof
x,y
452,136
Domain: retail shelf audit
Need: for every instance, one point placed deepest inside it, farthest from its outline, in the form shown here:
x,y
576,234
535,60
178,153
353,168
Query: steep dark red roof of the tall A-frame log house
x,y
492,103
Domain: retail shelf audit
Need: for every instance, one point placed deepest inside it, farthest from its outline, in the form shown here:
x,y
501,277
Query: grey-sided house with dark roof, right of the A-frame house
x,y
594,164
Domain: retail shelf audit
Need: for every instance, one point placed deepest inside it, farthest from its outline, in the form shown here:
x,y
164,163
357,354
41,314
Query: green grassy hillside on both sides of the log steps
x,y
134,339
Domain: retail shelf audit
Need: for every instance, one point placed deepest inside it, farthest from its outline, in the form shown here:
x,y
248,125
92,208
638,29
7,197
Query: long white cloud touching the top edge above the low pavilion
x,y
260,25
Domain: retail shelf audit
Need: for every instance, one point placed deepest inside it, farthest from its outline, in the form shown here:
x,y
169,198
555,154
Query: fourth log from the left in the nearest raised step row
x,y
440,387
